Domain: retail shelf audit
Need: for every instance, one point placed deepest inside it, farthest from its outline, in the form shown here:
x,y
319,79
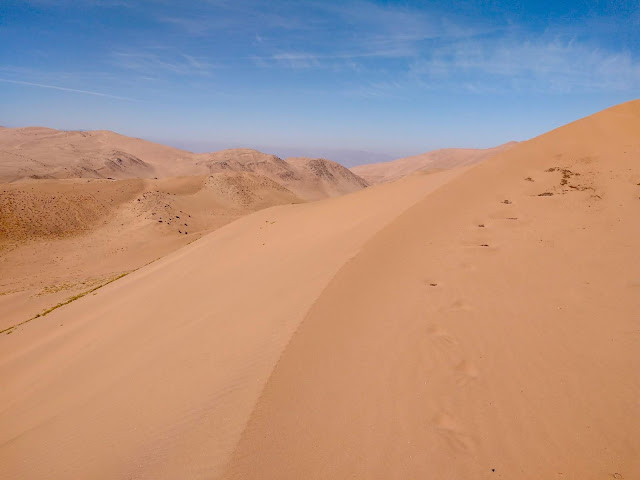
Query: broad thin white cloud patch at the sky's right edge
x,y
552,65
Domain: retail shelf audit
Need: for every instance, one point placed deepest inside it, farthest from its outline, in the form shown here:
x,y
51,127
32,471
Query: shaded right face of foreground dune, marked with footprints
x,y
491,331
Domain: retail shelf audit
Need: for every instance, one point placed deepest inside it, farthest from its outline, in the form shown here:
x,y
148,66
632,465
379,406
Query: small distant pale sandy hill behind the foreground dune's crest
x,y
437,159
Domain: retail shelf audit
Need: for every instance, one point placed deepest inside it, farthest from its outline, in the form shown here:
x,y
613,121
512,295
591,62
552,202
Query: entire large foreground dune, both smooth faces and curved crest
x,y
479,322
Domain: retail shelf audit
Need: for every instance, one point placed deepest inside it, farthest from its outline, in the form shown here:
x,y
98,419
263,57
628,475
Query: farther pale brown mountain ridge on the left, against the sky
x,y
44,153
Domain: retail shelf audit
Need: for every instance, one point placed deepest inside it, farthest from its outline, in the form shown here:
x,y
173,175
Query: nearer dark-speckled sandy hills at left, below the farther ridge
x,y
59,238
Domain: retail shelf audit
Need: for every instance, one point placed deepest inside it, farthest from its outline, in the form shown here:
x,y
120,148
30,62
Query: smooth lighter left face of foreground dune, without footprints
x,y
155,375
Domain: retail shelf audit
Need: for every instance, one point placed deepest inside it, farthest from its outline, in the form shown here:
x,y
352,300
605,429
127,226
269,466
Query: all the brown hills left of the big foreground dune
x,y
78,209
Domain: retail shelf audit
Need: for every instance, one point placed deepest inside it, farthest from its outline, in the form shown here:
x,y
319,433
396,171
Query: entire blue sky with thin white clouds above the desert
x,y
392,78
